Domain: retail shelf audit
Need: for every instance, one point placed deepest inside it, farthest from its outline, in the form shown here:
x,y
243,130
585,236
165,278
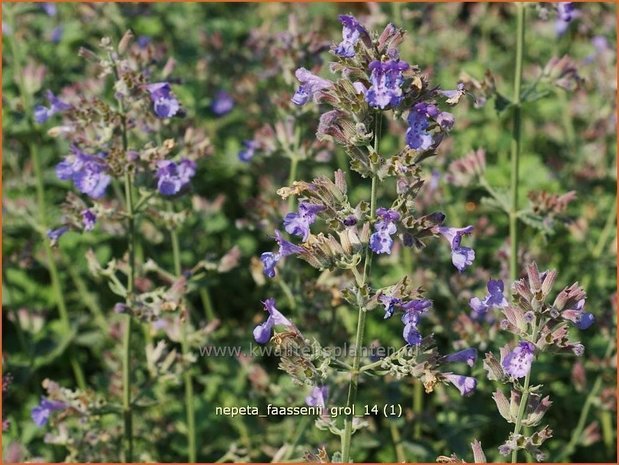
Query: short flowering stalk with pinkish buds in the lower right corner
x,y
539,326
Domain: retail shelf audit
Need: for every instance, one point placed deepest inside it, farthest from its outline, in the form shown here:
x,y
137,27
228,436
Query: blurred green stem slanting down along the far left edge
x,y
41,204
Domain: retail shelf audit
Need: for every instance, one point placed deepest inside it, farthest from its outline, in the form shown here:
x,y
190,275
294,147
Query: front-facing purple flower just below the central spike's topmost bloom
x,y
386,78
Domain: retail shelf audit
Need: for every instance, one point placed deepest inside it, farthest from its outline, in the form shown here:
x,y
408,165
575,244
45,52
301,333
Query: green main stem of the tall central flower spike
x,y
354,376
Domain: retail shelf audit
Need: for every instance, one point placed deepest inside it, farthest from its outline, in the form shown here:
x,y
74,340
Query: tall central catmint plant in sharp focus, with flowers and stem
x,y
373,82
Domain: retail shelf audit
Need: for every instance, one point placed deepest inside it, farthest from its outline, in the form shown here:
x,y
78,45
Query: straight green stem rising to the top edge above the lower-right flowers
x,y
516,143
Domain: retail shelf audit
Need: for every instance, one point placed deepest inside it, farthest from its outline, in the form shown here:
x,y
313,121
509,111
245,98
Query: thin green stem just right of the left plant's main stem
x,y
187,378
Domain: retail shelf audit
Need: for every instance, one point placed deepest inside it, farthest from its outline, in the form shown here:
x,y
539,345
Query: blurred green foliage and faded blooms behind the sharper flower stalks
x,y
247,54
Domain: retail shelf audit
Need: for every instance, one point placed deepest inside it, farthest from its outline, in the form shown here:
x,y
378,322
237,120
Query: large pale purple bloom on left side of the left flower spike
x,y
88,172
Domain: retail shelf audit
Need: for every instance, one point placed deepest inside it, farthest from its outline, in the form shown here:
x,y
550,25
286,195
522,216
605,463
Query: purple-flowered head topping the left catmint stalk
x,y
94,159
